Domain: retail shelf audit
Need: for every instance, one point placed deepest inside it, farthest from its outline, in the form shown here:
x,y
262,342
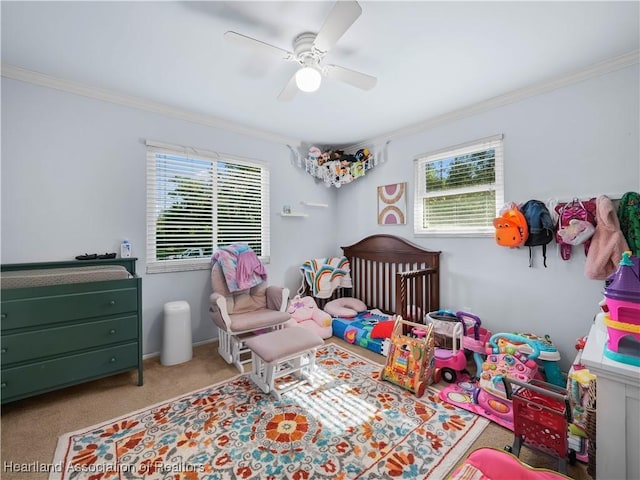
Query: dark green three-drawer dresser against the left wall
x,y
54,336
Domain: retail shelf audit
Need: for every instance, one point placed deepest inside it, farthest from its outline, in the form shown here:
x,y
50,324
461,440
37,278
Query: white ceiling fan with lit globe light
x,y
309,49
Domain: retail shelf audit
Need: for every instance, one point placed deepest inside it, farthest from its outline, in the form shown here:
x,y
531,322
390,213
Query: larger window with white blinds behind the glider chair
x,y
197,201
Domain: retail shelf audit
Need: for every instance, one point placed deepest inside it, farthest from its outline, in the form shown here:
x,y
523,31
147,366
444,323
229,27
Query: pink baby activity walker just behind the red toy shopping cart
x,y
504,360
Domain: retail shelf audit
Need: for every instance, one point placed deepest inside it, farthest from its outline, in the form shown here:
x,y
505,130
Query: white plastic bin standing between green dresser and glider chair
x,y
176,334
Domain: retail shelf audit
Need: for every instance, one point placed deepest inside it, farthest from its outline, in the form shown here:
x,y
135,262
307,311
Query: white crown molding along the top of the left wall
x,y
43,80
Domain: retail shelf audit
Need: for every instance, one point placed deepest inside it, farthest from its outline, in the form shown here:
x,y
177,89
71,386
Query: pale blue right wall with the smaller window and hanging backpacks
x,y
581,140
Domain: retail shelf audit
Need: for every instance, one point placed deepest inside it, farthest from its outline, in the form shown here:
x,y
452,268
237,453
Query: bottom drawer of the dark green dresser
x,y
38,377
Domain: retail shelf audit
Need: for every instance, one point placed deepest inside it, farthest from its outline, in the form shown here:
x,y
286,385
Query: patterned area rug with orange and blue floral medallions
x,y
344,424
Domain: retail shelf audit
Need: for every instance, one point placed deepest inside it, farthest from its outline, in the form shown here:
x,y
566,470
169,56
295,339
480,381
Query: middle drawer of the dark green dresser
x,y
19,347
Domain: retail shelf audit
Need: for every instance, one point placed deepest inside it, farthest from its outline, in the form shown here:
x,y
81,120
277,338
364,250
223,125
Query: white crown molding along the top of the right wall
x,y
595,70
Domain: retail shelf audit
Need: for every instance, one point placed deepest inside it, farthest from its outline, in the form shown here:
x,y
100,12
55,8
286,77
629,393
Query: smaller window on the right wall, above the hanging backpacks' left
x,y
459,190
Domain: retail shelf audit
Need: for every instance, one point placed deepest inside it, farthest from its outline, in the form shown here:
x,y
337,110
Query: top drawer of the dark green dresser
x,y
46,310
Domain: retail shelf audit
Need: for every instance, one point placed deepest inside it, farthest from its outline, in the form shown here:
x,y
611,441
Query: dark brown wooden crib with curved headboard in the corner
x,y
393,275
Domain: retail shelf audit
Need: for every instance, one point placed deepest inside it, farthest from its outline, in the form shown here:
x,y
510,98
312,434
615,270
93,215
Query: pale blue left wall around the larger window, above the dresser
x,y
73,182
